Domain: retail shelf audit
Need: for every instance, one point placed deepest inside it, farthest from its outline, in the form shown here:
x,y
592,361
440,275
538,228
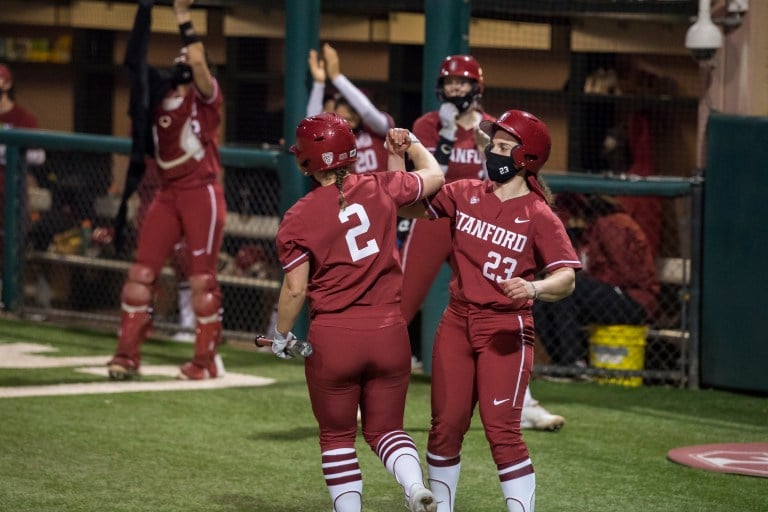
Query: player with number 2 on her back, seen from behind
x,y
338,249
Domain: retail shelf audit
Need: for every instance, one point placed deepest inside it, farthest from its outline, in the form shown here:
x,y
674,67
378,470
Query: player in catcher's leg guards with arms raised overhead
x,y
190,203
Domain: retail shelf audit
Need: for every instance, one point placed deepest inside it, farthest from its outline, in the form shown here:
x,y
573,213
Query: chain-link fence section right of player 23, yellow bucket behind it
x,y
637,328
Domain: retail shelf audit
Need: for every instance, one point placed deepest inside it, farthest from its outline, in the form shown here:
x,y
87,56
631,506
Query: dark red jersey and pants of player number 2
x,y
362,351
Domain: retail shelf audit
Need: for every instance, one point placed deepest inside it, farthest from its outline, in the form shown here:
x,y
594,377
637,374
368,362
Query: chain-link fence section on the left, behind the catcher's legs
x,y
71,270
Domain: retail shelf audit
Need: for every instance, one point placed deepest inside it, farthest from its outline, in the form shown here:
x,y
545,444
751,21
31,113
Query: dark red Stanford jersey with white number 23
x,y
495,240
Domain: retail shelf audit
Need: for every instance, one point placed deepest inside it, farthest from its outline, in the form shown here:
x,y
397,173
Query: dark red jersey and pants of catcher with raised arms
x,y
190,202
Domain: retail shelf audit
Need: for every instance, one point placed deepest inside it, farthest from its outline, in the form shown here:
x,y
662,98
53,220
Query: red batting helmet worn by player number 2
x,y
324,142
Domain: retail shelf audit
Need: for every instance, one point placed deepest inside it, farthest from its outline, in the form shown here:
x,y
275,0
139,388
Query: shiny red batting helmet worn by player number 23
x,y
533,134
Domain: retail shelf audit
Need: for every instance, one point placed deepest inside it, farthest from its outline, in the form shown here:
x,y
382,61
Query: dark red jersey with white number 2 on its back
x,y
352,252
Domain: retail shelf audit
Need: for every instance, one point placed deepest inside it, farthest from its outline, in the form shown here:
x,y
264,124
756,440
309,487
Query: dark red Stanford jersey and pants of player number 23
x,y
483,349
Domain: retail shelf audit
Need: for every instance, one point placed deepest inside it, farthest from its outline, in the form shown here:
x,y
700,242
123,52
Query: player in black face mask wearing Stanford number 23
x,y
504,233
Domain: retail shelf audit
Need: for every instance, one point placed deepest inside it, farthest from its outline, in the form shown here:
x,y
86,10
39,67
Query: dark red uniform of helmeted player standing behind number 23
x,y
429,243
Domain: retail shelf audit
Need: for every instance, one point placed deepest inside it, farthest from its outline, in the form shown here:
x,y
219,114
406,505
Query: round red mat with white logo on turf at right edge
x,y
739,458
